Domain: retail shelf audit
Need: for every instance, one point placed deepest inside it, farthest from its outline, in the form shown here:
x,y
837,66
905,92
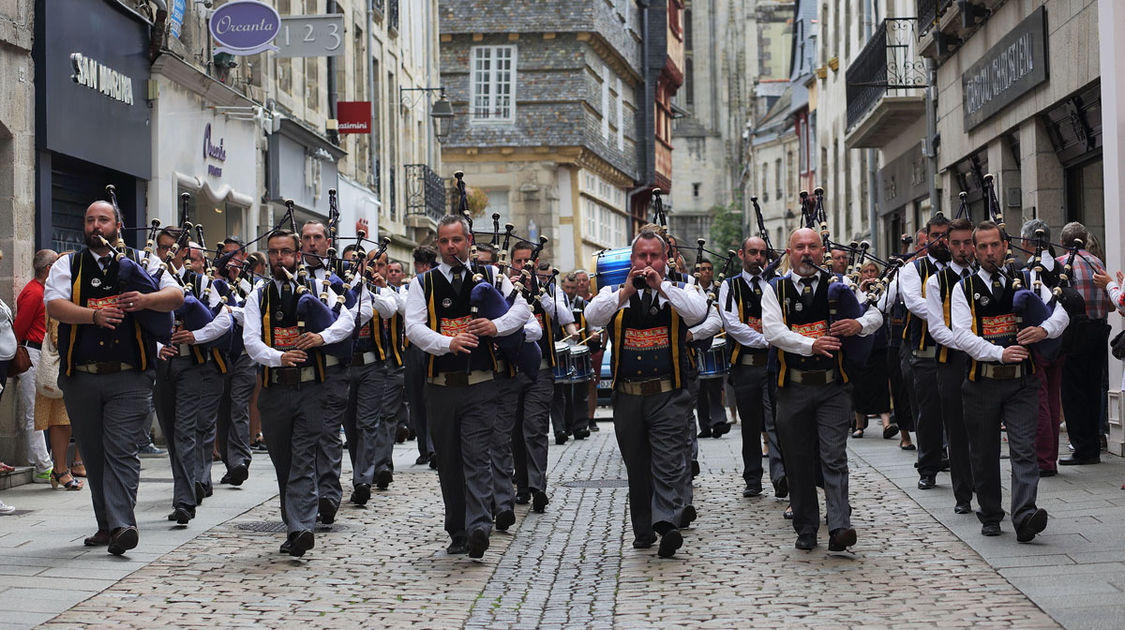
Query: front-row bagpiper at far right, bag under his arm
x,y
1002,385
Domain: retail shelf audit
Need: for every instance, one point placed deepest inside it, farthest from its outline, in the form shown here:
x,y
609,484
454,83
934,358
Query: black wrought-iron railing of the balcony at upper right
x,y
889,62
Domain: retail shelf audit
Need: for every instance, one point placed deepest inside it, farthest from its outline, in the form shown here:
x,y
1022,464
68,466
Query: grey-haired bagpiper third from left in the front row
x,y
460,389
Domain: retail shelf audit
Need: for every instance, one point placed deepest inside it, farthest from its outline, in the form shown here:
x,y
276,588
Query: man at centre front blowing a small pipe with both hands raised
x,y
647,319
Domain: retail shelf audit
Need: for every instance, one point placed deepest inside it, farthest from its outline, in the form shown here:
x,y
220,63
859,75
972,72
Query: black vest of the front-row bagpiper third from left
x,y
449,313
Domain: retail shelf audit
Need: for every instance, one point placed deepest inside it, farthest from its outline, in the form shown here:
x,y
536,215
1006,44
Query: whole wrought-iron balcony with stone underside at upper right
x,y
883,84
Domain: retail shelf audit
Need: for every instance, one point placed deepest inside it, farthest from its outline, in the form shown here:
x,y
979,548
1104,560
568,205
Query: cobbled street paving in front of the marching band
x,y
574,566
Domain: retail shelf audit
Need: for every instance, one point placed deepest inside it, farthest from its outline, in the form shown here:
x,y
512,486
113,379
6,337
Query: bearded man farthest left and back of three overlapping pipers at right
x,y
913,278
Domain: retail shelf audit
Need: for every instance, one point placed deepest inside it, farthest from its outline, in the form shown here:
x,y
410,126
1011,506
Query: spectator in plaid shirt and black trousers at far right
x,y
1082,394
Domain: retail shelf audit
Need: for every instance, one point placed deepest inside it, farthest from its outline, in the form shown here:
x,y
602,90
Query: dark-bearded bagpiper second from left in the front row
x,y
295,394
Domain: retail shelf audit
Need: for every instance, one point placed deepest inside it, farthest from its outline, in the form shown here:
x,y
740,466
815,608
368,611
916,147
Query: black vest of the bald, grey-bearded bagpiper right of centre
x,y
812,321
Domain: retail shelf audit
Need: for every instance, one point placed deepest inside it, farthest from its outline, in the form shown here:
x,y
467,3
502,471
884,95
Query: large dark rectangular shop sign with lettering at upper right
x,y
1007,71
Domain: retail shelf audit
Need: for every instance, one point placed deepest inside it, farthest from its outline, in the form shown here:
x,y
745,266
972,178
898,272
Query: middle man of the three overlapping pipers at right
x,y
952,364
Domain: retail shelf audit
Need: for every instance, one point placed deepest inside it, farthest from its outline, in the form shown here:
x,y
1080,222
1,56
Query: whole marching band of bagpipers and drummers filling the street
x,y
488,350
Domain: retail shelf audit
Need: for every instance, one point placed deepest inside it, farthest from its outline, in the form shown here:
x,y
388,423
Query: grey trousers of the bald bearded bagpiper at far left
x,y
107,416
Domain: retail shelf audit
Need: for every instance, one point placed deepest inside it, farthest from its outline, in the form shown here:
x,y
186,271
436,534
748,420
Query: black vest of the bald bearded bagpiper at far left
x,y
85,344
